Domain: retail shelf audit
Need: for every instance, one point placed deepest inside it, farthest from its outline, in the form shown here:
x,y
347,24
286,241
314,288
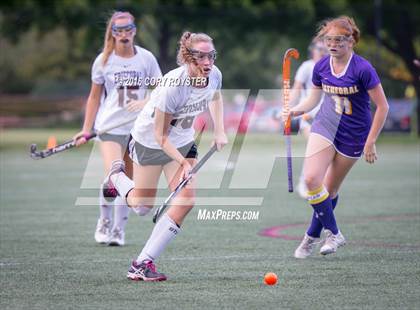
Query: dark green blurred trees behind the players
x,y
251,36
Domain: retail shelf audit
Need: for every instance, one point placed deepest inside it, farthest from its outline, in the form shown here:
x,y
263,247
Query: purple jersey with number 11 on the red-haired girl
x,y
344,117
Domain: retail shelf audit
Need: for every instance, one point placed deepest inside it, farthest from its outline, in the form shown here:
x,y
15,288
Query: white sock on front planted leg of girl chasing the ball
x,y
164,231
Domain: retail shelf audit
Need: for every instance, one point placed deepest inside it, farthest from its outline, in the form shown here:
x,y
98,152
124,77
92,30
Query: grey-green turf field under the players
x,y
49,260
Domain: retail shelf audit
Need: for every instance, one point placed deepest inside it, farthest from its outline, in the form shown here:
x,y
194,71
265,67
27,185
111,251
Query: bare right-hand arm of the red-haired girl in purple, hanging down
x,y
378,97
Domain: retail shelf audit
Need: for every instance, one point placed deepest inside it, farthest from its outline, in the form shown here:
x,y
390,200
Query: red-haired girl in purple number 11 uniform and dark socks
x,y
342,130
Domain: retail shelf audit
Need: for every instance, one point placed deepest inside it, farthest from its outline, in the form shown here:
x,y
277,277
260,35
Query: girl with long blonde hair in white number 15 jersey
x,y
117,93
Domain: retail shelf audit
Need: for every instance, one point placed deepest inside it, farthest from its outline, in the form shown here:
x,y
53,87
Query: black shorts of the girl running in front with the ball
x,y
145,156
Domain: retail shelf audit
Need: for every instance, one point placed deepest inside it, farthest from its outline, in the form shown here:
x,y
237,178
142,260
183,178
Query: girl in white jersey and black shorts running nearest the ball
x,y
163,141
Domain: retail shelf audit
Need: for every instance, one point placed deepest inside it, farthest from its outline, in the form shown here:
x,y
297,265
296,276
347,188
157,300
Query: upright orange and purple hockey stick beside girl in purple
x,y
291,52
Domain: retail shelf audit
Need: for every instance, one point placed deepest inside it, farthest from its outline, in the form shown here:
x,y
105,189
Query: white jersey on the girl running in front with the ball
x,y
184,102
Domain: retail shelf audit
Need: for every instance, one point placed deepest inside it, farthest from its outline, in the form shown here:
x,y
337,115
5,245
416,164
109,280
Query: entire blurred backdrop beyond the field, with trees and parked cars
x,y
47,49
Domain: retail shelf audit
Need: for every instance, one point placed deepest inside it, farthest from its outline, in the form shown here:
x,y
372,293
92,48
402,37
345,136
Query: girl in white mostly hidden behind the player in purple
x,y
301,87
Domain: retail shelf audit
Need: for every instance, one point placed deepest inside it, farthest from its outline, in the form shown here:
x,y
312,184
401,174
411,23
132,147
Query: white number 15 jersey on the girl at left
x,y
123,80
